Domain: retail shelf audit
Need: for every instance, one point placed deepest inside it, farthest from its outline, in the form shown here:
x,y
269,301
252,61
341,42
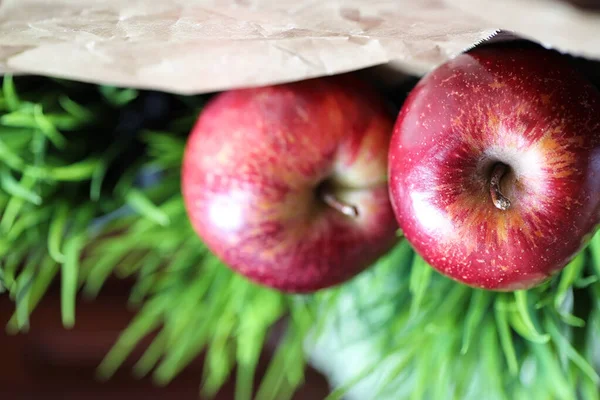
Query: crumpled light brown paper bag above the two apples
x,y
198,46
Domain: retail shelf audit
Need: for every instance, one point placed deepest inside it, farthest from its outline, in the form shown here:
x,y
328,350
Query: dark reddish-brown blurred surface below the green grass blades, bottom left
x,y
51,362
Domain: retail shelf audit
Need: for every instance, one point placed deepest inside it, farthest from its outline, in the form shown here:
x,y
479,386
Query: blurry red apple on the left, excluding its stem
x,y
251,169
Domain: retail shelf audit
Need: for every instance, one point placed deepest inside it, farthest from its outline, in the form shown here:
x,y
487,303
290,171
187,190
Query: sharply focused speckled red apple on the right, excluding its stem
x,y
527,108
